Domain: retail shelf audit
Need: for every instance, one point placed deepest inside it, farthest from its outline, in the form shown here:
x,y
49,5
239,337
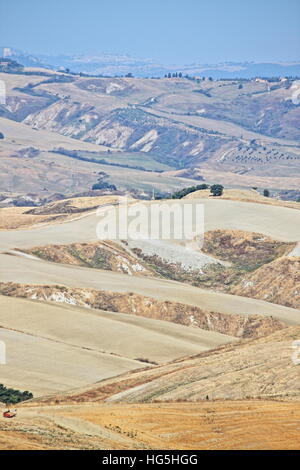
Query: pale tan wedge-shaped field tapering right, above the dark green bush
x,y
54,347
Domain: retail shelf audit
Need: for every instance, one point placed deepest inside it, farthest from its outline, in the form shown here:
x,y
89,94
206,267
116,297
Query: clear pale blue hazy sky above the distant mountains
x,y
171,31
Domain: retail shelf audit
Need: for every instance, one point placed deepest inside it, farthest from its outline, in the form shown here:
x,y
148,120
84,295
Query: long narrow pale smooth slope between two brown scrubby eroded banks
x,y
29,271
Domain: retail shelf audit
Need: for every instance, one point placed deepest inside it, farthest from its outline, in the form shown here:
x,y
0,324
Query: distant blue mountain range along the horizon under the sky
x,y
114,65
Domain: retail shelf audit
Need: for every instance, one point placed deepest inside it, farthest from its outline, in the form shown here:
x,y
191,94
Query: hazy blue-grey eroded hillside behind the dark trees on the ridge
x,y
240,133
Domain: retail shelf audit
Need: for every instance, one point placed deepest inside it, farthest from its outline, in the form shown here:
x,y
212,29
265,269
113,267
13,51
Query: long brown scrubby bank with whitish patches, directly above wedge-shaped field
x,y
252,326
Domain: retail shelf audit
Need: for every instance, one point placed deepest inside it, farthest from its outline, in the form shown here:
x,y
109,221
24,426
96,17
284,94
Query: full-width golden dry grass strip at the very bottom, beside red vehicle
x,y
232,425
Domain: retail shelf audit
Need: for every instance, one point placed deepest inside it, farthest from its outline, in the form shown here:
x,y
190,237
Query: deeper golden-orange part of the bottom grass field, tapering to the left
x,y
217,425
